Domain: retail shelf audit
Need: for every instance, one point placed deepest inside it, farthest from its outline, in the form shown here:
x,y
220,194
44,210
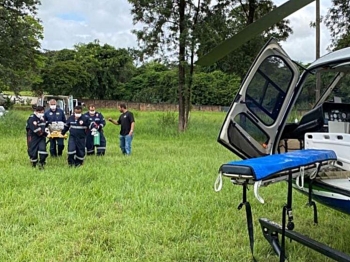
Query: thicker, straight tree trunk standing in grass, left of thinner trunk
x,y
182,62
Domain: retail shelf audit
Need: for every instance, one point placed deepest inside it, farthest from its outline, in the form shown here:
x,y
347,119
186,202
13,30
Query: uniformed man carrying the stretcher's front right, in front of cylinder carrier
x,y
78,125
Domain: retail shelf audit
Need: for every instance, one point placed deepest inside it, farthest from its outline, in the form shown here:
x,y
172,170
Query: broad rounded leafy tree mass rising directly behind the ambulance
x,y
90,70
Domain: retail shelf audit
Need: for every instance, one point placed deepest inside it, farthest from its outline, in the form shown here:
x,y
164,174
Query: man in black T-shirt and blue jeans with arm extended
x,y
127,123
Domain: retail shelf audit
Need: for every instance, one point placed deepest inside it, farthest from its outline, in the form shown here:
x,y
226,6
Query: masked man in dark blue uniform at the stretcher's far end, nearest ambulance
x,y
55,114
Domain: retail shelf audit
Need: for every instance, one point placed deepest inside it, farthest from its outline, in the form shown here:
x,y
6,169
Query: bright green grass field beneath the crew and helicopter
x,y
156,205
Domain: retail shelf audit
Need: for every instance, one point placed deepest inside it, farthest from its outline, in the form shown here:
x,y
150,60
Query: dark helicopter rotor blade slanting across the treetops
x,y
259,26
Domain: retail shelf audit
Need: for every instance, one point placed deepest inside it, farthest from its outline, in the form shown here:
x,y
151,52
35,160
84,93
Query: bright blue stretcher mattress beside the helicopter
x,y
264,167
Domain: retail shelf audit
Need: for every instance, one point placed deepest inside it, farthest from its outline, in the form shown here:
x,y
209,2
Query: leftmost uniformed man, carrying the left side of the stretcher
x,y
36,137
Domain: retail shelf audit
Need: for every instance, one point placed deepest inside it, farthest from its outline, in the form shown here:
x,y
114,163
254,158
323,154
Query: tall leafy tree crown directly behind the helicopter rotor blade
x,y
227,18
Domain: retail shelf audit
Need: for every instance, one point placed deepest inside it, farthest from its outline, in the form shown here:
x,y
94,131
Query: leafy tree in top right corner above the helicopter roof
x,y
338,22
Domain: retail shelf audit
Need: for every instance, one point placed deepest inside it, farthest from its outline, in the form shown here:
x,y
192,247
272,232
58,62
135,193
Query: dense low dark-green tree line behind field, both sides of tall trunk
x,y
96,71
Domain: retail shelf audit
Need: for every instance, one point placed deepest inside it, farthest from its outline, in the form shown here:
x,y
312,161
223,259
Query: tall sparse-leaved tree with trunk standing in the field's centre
x,y
170,32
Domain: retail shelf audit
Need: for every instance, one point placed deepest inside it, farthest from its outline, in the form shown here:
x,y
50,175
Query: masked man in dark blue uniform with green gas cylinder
x,y
99,124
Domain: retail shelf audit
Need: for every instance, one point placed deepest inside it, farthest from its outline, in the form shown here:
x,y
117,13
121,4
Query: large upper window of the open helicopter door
x,y
267,90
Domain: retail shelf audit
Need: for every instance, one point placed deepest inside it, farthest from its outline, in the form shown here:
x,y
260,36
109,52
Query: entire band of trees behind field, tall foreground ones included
x,y
162,69
